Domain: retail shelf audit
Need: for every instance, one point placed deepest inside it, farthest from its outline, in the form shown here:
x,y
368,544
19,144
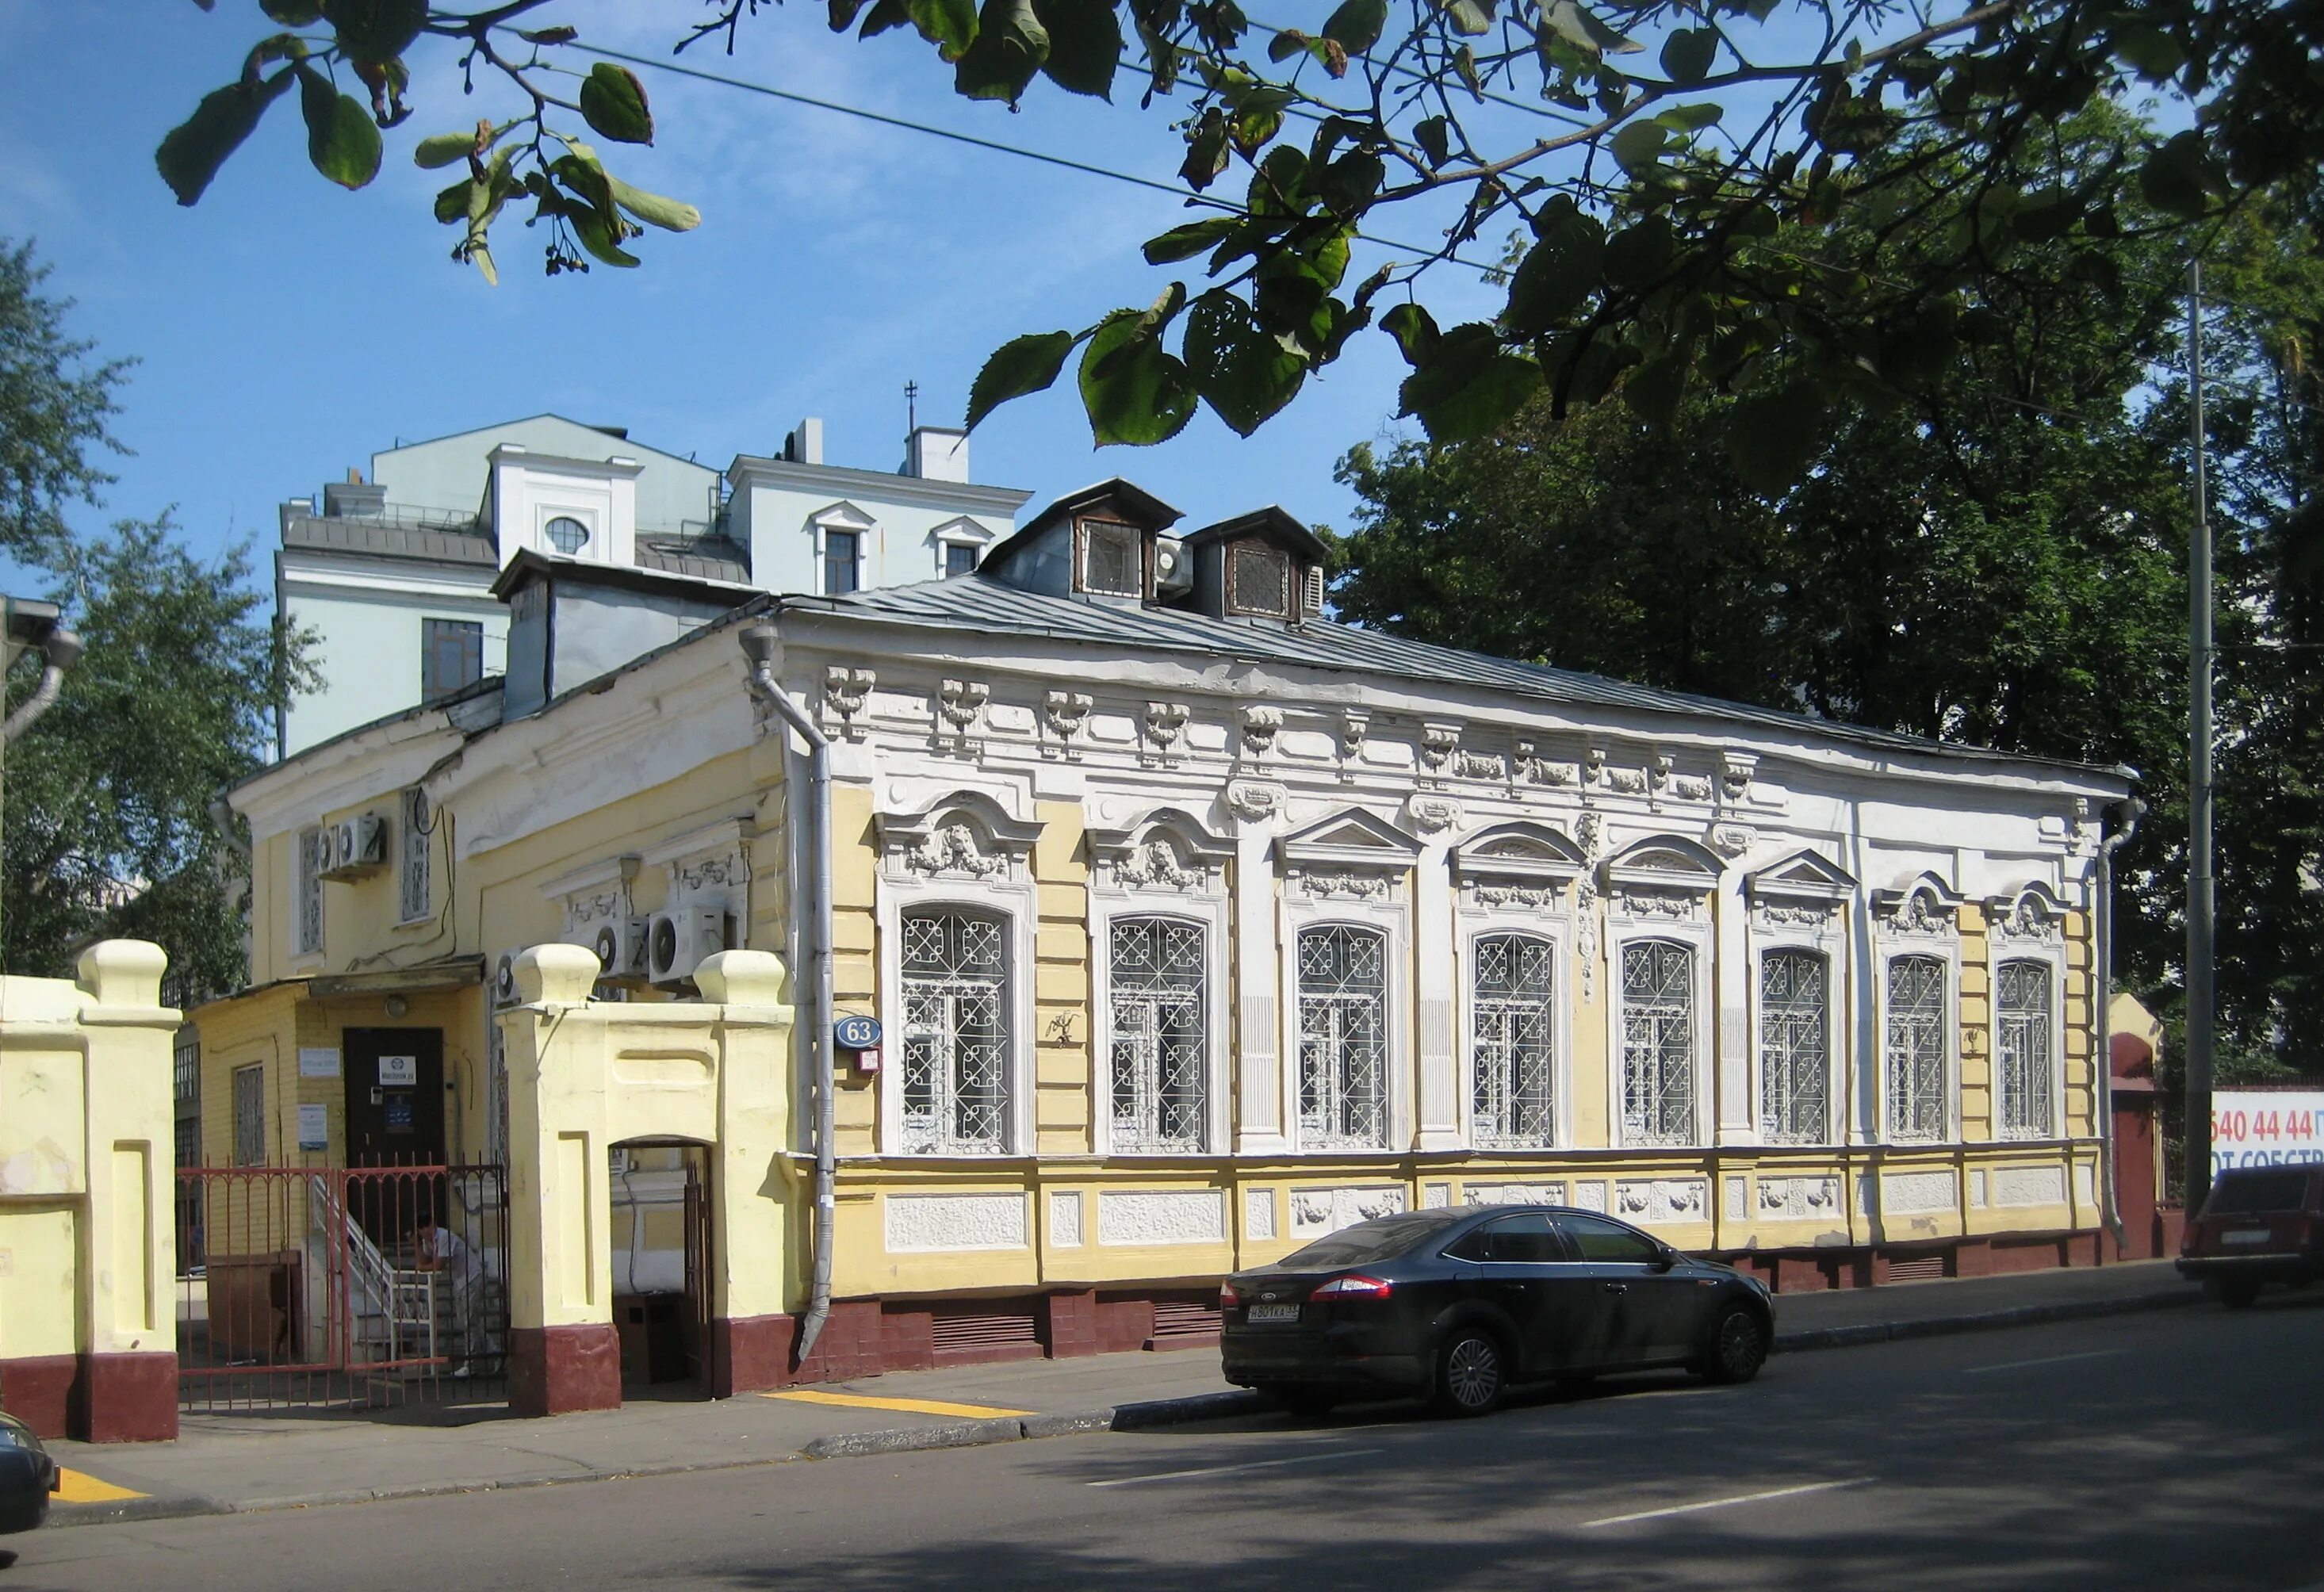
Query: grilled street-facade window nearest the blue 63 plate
x,y
956,1033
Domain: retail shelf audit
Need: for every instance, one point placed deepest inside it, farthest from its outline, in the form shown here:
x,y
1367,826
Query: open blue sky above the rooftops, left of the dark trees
x,y
285,329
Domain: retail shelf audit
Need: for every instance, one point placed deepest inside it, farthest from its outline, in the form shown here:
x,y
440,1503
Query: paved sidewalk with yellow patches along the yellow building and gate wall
x,y
243,1463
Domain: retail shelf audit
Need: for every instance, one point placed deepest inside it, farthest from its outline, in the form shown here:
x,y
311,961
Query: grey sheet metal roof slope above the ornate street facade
x,y
984,605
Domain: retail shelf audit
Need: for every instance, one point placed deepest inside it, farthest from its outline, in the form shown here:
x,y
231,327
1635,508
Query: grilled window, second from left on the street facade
x,y
1161,1033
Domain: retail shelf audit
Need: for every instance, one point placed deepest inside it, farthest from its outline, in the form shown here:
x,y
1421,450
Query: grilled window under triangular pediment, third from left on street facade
x,y
1342,1038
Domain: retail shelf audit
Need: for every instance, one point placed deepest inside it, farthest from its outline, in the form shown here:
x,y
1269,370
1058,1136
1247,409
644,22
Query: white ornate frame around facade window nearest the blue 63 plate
x,y
963,852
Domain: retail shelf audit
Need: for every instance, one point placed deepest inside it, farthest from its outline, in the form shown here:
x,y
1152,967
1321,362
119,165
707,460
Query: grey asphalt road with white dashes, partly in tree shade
x,y
2172,1451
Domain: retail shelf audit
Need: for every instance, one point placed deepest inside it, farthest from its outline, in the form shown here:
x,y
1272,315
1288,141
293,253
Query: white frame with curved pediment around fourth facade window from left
x,y
1519,880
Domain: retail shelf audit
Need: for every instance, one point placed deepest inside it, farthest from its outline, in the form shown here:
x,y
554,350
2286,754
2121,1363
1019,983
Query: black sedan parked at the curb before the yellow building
x,y
1461,1305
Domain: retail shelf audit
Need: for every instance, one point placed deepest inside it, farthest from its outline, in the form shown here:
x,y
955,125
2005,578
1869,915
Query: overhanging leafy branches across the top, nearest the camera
x,y
1695,182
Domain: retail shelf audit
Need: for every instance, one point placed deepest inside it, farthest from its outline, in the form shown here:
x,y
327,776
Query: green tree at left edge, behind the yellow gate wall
x,y
103,801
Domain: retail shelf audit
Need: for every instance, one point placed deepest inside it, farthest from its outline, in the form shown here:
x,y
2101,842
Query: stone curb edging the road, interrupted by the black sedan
x,y
1138,1417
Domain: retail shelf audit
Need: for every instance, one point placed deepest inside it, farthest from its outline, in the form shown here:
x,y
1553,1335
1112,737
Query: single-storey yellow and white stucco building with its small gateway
x,y
1193,926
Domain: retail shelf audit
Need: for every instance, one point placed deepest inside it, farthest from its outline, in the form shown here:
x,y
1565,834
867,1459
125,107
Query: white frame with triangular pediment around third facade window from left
x,y
1351,870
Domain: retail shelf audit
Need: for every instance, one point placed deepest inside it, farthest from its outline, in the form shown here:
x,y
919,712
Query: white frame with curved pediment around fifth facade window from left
x,y
1663,889
